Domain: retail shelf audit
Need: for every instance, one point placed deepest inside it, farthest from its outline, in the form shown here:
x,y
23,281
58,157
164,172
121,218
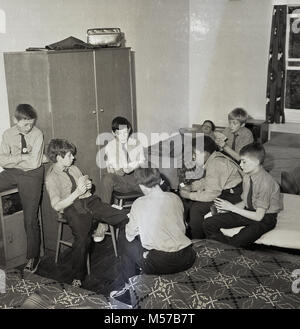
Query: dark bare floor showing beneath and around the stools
x,y
105,268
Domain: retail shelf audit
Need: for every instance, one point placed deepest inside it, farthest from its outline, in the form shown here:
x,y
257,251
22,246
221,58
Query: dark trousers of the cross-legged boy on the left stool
x,y
82,216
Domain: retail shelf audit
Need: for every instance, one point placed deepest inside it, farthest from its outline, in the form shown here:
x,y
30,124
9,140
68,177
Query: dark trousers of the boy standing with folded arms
x,y
29,184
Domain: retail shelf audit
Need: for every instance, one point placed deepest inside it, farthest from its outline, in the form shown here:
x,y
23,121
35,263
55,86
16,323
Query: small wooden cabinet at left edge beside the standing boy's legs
x,y
13,242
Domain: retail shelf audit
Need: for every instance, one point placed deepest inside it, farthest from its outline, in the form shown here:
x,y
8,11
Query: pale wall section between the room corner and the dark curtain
x,y
229,43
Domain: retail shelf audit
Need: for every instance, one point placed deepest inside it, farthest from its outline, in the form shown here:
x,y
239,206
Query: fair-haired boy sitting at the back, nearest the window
x,y
236,135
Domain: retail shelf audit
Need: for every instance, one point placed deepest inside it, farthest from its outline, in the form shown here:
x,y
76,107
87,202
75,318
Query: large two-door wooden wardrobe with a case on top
x,y
76,94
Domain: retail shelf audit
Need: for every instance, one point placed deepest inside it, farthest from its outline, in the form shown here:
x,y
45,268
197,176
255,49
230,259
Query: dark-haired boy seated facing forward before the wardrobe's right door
x,y
123,155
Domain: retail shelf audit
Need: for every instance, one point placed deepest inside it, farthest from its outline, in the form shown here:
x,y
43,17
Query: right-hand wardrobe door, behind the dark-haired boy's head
x,y
114,86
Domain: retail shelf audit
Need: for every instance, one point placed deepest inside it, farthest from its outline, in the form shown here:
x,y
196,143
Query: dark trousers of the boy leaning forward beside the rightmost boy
x,y
199,209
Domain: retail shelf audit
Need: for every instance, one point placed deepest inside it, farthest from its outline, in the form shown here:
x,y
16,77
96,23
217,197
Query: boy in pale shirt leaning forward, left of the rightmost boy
x,y
222,179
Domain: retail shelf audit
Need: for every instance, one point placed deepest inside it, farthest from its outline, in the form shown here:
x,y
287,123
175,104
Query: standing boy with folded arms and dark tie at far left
x,y
21,155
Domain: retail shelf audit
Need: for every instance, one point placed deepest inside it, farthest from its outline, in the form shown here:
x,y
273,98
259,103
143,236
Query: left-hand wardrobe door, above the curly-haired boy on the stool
x,y
73,105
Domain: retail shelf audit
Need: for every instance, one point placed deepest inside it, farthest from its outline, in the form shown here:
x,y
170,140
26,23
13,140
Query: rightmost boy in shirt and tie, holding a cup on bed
x,y
259,208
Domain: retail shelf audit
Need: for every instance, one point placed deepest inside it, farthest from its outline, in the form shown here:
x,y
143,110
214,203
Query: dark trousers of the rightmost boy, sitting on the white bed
x,y
252,231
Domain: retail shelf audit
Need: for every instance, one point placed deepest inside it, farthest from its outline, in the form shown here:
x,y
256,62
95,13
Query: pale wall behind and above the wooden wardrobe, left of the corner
x,y
156,30
